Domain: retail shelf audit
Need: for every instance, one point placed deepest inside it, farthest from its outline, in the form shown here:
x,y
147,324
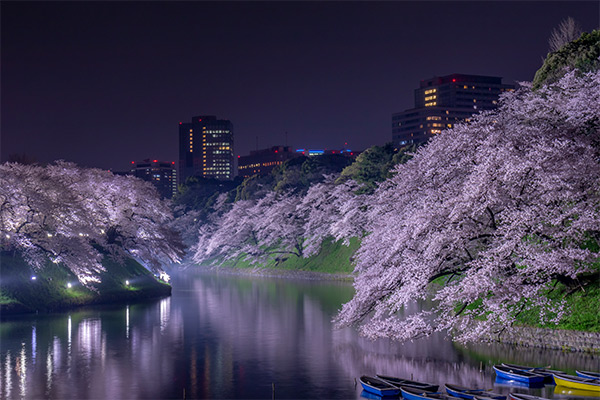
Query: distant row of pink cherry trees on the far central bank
x,y
280,224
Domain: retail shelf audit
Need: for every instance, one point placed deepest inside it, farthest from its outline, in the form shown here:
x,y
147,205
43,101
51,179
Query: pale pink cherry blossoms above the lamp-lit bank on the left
x,y
67,214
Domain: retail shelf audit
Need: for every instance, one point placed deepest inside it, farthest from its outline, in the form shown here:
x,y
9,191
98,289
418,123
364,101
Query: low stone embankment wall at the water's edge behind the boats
x,y
588,342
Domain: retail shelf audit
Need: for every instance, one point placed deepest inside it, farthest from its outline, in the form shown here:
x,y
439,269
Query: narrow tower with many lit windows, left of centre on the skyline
x,y
206,148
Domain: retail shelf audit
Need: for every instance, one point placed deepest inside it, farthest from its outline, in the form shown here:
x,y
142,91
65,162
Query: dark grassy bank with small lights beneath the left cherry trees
x,y
18,293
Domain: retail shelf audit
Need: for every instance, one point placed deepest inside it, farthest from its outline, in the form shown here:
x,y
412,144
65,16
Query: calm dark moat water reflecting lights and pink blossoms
x,y
224,336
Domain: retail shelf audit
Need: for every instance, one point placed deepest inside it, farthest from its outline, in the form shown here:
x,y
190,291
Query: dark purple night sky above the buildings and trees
x,y
105,83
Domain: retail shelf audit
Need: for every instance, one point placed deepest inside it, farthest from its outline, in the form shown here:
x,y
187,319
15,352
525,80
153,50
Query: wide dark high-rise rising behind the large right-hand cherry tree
x,y
442,102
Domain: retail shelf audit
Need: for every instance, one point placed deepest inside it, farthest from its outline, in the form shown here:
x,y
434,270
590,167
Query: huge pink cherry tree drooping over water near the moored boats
x,y
485,219
